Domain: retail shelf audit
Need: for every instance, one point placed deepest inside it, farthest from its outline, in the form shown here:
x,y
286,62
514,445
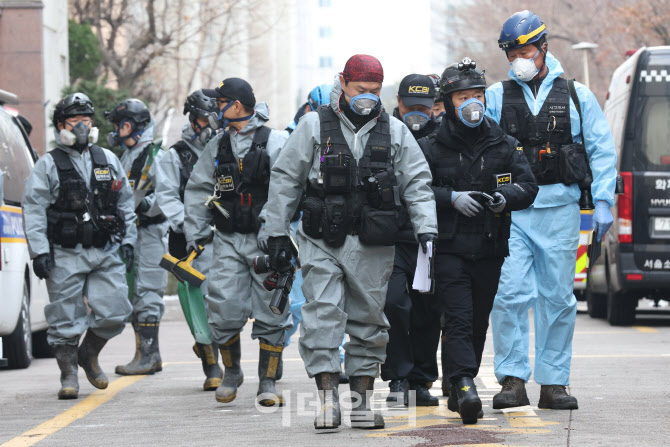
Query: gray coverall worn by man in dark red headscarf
x,y
345,287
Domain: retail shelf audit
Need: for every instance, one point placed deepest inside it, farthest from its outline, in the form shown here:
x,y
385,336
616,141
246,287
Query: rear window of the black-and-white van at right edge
x,y
654,152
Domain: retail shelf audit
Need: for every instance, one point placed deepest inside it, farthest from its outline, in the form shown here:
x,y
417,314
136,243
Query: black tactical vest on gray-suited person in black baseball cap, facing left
x,y
242,185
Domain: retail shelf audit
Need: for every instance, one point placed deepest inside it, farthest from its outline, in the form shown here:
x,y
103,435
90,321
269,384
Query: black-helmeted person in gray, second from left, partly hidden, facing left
x,y
134,132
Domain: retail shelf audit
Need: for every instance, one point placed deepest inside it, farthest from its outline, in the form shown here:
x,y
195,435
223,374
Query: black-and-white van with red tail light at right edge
x,y
636,252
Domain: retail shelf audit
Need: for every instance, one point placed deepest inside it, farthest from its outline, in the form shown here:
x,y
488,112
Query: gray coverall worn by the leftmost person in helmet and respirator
x,y
97,273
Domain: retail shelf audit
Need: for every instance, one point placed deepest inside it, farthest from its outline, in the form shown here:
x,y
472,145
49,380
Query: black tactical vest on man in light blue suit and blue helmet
x,y
541,136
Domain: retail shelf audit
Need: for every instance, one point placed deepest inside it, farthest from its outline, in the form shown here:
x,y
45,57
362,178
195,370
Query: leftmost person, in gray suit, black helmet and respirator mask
x,y
78,219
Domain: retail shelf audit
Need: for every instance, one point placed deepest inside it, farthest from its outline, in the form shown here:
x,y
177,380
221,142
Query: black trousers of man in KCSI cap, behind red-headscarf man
x,y
414,335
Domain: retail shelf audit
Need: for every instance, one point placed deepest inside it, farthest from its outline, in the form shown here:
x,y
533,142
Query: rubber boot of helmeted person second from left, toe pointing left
x,y
147,358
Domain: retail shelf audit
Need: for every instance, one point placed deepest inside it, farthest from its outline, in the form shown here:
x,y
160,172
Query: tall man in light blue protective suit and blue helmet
x,y
558,134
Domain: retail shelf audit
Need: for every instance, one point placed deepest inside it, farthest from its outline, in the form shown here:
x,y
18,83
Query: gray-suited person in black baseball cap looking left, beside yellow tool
x,y
229,186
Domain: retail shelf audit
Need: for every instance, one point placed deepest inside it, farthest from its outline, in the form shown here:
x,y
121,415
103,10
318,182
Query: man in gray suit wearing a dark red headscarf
x,y
356,162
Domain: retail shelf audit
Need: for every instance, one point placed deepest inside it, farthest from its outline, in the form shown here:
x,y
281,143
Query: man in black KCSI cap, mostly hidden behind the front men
x,y
415,323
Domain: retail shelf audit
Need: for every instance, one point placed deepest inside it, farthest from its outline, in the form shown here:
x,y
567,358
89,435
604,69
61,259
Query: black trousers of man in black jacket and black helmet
x,y
465,291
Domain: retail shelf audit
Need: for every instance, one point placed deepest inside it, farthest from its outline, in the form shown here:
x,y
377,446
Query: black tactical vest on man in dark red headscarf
x,y
353,197
